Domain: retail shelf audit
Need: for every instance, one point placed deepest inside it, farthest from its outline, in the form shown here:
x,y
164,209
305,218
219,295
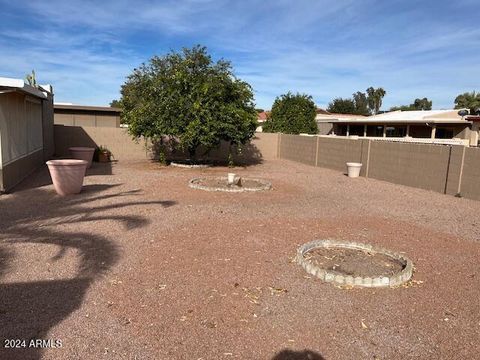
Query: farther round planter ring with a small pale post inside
x,y
247,184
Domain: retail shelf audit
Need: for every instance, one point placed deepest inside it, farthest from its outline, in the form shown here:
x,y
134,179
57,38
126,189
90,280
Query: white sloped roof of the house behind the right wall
x,y
421,116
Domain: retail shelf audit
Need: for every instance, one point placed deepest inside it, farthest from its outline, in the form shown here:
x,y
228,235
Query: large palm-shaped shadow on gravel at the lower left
x,y
28,310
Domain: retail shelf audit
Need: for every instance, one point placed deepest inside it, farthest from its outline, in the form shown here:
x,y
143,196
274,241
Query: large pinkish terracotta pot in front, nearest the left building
x,y
67,175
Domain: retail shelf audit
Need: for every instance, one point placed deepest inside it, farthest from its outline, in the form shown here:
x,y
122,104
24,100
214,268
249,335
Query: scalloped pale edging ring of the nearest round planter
x,y
338,278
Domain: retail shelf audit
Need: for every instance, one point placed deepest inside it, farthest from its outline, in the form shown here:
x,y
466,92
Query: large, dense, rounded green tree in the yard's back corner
x,y
186,96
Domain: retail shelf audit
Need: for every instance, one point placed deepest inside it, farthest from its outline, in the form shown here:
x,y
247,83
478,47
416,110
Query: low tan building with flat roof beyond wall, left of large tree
x,y
79,115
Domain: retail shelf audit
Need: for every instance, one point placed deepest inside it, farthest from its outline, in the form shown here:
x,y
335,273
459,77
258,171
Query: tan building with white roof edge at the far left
x,y
26,130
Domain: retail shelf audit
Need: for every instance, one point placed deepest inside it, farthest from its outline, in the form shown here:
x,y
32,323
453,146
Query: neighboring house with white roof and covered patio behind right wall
x,y
429,126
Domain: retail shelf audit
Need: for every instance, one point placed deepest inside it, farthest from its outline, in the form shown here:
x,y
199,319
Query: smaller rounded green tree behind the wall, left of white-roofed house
x,y
292,114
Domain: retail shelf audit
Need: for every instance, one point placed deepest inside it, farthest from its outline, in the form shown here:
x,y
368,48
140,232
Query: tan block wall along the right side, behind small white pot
x,y
445,169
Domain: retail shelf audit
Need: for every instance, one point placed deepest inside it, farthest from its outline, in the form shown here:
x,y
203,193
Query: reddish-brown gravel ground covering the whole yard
x,y
140,266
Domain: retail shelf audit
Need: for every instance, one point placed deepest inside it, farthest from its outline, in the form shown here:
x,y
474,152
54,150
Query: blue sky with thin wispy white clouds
x,y
327,49
